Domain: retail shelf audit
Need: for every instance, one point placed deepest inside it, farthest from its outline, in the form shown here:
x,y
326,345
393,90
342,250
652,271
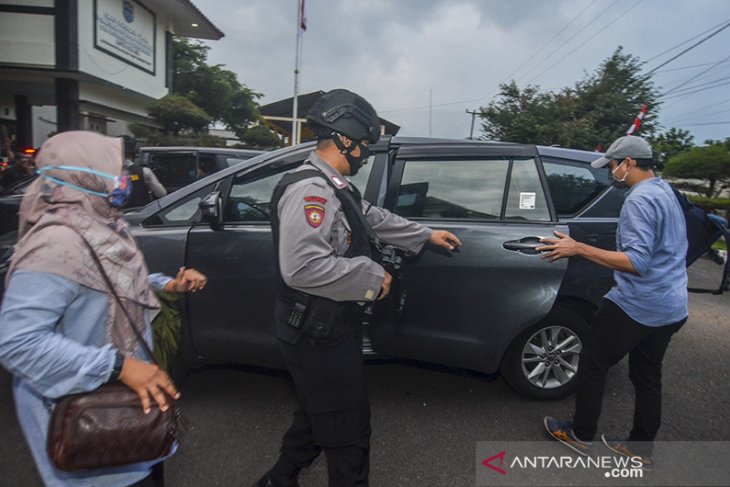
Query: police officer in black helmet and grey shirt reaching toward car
x,y
328,243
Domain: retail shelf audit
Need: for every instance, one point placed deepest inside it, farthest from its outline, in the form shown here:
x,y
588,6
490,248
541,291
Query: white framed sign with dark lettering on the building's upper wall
x,y
125,29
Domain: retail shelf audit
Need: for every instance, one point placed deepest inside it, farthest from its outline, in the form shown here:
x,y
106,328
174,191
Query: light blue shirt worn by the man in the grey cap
x,y
652,232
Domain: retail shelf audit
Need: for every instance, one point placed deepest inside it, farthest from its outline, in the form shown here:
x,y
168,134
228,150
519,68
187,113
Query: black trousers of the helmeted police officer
x,y
325,361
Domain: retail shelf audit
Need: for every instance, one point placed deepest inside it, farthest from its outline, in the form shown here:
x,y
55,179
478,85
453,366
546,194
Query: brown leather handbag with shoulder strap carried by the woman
x,y
107,427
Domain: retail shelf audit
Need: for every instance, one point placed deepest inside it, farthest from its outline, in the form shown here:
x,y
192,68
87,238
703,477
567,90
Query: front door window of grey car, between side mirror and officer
x,y
249,198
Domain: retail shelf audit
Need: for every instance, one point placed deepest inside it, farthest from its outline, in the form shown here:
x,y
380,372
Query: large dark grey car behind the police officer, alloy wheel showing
x,y
494,305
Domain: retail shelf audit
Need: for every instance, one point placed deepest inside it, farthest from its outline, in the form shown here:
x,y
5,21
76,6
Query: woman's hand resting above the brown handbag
x,y
148,381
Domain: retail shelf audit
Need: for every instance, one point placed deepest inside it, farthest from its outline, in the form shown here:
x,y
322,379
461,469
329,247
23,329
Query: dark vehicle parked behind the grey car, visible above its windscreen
x,y
179,166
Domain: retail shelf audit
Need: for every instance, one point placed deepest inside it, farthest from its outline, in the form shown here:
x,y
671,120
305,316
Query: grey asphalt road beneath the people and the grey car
x,y
426,420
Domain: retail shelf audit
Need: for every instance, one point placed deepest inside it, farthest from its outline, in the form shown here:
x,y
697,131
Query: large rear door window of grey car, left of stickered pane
x,y
455,189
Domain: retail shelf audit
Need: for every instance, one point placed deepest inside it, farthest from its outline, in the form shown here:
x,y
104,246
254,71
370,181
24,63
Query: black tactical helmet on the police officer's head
x,y
346,113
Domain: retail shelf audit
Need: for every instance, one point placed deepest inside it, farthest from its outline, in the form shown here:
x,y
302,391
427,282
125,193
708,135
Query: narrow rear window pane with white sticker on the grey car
x,y
526,199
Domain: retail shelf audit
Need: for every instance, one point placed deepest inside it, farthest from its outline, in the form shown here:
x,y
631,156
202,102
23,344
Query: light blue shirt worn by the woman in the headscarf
x,y
53,341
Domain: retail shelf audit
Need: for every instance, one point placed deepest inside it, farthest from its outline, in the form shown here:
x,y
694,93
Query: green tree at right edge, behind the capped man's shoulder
x,y
710,164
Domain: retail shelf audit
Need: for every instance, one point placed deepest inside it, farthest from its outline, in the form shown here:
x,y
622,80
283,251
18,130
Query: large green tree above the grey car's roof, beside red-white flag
x,y
592,113
